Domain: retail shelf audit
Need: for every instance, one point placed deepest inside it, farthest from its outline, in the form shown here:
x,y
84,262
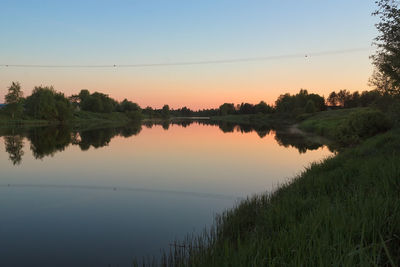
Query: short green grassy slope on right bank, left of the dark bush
x,y
325,123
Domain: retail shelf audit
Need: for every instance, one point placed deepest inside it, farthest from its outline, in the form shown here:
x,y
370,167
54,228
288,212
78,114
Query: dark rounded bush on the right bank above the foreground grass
x,y
361,125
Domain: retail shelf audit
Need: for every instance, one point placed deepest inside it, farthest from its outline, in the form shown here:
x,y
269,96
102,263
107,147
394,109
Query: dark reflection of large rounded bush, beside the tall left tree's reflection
x,y
45,141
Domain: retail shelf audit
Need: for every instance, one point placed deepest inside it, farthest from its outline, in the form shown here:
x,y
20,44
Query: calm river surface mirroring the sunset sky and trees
x,y
72,197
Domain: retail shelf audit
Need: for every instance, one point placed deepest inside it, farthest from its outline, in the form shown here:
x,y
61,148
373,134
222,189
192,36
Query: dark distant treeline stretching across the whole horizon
x,y
45,103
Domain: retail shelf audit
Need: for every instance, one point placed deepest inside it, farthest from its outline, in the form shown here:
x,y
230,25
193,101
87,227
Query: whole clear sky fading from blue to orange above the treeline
x,y
100,32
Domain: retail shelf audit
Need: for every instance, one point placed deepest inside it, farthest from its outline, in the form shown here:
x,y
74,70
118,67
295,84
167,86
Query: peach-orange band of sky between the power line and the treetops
x,y
203,87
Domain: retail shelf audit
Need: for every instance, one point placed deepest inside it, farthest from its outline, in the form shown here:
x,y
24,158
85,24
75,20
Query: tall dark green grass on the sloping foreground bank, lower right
x,y
344,211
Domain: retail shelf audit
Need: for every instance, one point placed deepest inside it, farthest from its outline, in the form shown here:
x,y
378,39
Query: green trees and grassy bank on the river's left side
x,y
46,106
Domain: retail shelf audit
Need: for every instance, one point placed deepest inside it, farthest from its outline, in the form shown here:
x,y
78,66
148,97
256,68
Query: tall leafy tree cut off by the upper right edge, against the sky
x,y
386,58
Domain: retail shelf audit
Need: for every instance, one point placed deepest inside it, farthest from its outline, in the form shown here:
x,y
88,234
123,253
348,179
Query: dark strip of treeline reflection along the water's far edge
x,y
46,141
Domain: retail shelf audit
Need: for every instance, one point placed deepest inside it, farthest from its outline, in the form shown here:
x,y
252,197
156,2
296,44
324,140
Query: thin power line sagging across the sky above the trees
x,y
198,62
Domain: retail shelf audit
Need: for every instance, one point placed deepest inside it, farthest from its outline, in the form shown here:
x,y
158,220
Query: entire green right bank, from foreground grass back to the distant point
x,y
343,211
